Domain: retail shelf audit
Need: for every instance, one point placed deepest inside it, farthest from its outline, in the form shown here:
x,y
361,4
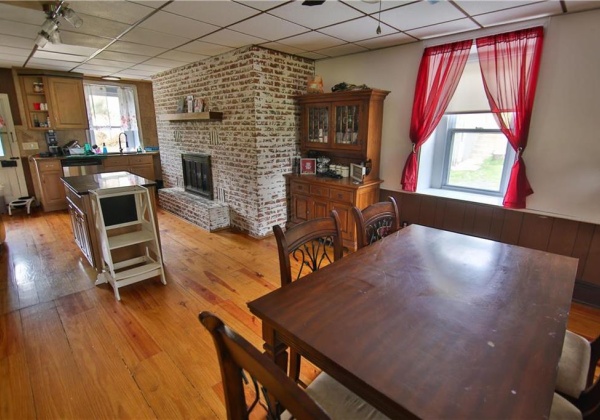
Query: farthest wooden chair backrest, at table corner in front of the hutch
x,y
376,221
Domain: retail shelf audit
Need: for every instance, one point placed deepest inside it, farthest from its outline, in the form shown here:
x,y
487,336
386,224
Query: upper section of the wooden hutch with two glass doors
x,y
345,126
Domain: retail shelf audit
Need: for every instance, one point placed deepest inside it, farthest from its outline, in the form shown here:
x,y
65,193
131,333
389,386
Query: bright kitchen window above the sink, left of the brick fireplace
x,y
112,115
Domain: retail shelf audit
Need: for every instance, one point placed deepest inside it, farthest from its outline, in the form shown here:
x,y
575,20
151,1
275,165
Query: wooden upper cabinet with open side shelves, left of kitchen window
x,y
53,102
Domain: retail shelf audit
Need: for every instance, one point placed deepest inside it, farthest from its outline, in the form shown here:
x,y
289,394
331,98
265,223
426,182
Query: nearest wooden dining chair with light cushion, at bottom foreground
x,y
324,398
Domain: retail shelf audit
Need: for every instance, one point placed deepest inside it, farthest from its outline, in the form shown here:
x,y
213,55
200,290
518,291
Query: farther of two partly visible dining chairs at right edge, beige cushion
x,y
576,369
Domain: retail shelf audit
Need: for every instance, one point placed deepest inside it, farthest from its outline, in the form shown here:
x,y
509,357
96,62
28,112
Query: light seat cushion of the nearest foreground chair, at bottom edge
x,y
338,401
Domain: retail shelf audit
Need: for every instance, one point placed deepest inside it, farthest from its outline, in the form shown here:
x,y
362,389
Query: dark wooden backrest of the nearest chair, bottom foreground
x,y
235,354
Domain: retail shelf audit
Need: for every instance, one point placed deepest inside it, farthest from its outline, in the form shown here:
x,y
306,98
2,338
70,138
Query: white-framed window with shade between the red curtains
x,y
467,153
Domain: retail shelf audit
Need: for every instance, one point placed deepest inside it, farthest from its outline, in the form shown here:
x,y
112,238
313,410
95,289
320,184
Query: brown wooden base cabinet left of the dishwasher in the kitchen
x,y
47,174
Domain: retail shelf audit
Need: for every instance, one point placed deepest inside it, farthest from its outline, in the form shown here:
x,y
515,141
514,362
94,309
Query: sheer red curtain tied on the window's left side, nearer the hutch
x,y
439,73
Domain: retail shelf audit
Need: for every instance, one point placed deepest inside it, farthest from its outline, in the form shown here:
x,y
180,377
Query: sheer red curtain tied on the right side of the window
x,y
509,66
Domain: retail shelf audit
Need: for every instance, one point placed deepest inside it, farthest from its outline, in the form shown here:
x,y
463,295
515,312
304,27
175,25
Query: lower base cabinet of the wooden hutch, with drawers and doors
x,y
313,197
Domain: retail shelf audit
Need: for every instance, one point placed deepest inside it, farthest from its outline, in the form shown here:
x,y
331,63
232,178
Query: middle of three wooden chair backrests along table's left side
x,y
311,244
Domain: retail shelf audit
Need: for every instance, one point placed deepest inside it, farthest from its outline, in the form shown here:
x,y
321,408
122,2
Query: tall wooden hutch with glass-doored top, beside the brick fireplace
x,y
345,127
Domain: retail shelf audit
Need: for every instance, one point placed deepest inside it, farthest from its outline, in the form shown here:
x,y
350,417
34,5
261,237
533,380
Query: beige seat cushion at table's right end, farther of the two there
x,y
573,365
